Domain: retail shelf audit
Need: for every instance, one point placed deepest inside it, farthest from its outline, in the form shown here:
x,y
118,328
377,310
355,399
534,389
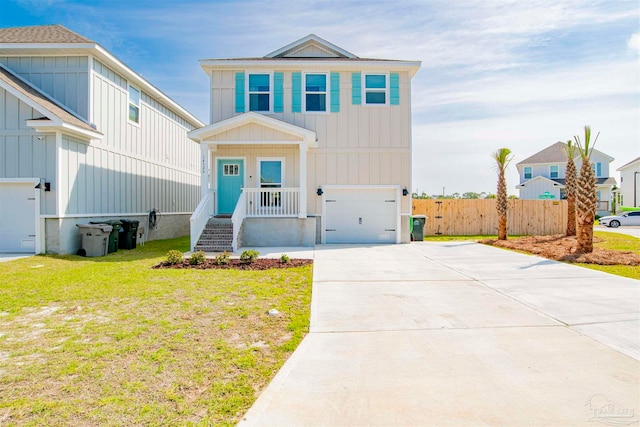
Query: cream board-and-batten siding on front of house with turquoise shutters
x,y
359,145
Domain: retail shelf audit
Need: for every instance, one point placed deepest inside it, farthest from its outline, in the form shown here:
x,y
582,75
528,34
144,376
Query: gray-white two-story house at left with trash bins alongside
x,y
84,138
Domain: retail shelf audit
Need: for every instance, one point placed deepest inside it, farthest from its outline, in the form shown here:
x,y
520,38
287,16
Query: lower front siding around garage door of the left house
x,y
23,152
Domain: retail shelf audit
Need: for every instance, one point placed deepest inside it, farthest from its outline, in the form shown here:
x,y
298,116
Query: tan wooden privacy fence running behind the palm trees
x,y
469,217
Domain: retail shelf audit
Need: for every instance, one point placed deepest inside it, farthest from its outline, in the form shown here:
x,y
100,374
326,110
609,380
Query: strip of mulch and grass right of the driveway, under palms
x,y
613,253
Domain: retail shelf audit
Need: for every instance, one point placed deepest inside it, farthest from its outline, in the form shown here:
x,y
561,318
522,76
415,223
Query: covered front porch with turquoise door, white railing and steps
x,y
252,166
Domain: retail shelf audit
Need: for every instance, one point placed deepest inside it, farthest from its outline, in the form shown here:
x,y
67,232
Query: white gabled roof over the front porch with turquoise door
x,y
253,128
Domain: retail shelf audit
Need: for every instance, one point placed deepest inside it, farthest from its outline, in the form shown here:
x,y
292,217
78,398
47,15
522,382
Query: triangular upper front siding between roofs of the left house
x,y
64,78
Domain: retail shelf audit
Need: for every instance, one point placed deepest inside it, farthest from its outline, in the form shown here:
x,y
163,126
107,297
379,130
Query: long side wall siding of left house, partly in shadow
x,y
137,166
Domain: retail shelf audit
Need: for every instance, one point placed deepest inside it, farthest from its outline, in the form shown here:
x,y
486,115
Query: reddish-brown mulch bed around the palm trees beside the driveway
x,y
563,248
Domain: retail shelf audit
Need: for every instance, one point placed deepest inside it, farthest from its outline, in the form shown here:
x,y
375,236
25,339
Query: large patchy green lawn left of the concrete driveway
x,y
110,341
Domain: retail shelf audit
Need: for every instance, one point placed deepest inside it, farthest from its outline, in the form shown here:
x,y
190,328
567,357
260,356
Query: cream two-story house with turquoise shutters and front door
x,y
308,144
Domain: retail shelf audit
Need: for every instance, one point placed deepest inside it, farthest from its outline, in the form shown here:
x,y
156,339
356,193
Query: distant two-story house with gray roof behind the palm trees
x,y
542,175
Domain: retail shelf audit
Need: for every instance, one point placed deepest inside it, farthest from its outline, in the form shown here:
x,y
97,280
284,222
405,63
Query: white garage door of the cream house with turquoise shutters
x,y
361,215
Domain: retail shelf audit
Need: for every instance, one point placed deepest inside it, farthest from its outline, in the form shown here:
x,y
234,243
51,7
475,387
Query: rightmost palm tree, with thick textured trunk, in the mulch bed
x,y
586,196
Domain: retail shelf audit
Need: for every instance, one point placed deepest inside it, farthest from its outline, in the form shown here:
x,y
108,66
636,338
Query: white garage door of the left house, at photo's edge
x,y
17,217
